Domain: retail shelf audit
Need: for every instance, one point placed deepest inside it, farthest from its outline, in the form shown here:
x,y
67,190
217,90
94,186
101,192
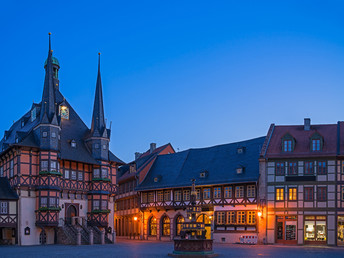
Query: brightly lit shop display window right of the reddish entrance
x,y
315,228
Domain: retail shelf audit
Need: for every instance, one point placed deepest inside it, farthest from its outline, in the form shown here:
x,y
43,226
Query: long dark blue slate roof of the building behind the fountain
x,y
220,162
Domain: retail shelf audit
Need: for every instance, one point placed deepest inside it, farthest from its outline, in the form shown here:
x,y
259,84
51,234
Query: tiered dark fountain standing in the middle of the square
x,y
192,240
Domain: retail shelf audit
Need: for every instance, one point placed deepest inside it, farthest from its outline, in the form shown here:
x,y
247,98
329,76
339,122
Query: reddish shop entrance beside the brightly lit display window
x,y
286,229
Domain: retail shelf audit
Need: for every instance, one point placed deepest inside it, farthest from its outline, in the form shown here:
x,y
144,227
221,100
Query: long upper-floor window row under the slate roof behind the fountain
x,y
184,195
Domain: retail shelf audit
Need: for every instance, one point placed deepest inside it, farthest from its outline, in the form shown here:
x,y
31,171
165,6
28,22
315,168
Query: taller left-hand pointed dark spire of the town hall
x,y
48,98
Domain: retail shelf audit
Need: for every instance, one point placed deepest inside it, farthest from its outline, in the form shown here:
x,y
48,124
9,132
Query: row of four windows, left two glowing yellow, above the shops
x,y
308,193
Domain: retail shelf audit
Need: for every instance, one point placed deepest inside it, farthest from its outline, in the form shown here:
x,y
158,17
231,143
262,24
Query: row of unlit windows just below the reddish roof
x,y
291,168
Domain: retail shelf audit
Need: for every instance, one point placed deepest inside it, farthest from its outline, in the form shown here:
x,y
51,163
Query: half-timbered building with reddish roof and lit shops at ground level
x,y
304,183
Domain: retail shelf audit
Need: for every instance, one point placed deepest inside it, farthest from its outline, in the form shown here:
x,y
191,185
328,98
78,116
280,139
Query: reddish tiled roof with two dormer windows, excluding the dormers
x,y
329,132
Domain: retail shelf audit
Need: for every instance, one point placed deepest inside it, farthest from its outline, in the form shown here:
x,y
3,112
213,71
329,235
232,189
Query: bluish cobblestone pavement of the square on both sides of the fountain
x,y
161,249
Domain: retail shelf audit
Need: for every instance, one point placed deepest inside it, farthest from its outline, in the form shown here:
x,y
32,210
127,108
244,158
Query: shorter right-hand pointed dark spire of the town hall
x,y
98,121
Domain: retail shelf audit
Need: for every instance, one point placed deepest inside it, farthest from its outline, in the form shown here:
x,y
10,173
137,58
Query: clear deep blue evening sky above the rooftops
x,y
193,73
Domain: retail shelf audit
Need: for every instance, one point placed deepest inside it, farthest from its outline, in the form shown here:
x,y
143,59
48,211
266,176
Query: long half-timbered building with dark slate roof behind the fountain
x,y
227,178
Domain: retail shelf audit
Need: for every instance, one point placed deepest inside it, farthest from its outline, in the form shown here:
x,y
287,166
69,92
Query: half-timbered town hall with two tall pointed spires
x,y
63,171
